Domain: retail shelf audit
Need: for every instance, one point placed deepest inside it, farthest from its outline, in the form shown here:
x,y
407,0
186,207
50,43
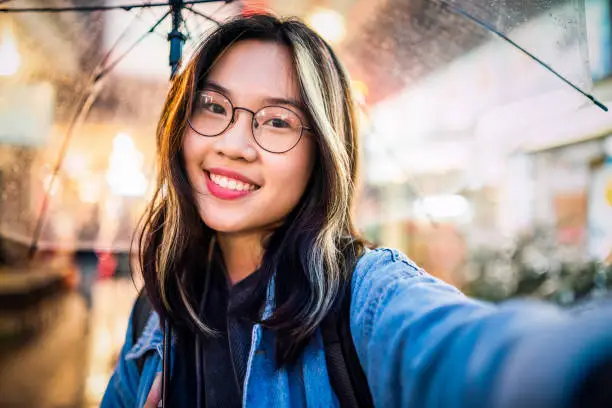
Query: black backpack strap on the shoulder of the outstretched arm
x,y
346,374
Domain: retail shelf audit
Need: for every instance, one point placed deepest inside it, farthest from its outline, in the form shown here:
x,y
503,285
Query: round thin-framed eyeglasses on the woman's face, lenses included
x,y
275,129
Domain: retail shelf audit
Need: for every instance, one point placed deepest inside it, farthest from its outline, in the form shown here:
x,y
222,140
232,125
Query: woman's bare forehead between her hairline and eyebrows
x,y
253,68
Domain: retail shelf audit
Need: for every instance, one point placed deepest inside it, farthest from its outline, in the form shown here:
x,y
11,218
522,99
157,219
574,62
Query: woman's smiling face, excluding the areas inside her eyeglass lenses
x,y
238,186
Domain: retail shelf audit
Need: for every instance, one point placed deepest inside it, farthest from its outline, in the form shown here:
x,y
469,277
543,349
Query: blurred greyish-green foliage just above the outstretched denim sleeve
x,y
537,267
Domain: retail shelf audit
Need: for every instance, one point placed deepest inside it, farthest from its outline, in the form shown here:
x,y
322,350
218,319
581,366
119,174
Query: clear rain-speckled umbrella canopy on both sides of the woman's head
x,y
443,93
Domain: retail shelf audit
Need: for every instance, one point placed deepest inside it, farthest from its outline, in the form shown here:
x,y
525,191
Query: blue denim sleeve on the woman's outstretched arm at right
x,y
424,344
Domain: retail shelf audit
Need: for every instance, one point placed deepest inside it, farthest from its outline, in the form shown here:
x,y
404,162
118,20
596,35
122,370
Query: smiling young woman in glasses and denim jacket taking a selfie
x,y
249,246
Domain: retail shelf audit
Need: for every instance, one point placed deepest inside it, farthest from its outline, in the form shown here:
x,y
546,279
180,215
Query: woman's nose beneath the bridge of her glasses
x,y
237,141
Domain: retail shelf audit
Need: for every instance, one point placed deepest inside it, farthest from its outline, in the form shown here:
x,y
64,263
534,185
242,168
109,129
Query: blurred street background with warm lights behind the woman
x,y
487,169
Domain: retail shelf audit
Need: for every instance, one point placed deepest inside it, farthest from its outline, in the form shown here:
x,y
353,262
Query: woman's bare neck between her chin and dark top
x,y
242,254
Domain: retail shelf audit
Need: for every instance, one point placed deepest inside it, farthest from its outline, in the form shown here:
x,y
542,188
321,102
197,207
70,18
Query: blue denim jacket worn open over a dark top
x,y
421,343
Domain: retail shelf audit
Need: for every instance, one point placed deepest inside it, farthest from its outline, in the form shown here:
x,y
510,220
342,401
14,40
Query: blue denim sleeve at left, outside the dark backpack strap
x,y
122,388
